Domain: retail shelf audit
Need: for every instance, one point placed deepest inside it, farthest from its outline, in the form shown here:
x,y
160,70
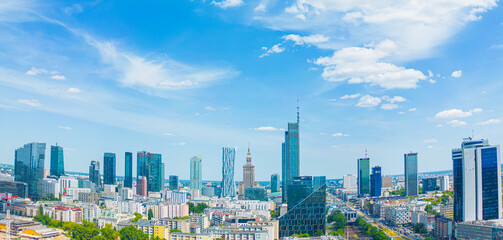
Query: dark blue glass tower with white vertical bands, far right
x,y
477,181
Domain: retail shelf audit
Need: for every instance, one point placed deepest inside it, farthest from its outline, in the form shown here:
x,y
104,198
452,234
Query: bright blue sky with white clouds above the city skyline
x,y
185,78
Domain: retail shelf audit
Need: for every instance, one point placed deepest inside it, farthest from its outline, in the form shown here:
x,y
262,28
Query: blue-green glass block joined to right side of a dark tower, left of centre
x,y
154,169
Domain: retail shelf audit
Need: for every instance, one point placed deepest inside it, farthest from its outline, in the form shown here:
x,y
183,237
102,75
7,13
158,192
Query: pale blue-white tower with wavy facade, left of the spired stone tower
x,y
228,184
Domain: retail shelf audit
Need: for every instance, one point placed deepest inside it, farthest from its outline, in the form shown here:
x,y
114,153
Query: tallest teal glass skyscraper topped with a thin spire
x,y
290,163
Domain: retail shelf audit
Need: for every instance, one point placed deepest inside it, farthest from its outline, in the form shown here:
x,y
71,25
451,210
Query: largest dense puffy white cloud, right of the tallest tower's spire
x,y
367,65
